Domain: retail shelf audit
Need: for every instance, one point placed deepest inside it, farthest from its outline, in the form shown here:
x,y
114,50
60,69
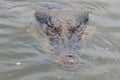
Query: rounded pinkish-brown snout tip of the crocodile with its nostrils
x,y
68,60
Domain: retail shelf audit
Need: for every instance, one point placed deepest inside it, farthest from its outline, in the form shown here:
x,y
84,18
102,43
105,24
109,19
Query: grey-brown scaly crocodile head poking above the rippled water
x,y
64,29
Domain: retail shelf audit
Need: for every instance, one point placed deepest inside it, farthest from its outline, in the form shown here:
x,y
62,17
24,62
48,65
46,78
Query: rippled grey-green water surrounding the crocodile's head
x,y
24,53
